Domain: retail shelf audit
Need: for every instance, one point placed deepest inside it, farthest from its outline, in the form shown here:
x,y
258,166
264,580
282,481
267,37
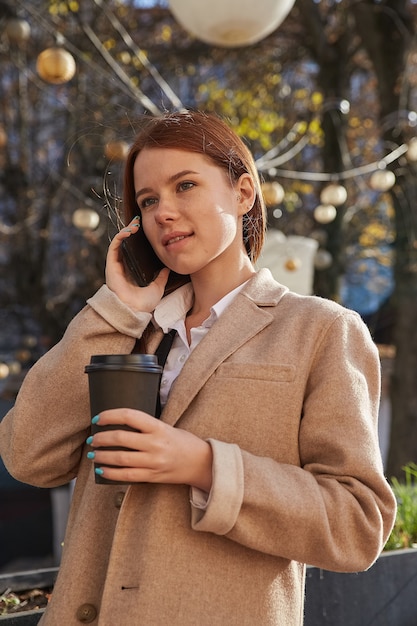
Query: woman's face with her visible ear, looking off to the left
x,y
191,213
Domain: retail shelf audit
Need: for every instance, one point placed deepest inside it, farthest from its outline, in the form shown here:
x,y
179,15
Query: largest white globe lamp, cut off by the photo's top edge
x,y
230,23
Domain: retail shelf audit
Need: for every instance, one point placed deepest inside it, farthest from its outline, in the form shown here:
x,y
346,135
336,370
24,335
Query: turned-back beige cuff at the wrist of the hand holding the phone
x,y
106,303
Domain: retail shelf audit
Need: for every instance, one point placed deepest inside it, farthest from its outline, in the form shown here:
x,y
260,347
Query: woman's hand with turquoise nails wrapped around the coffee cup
x,y
158,452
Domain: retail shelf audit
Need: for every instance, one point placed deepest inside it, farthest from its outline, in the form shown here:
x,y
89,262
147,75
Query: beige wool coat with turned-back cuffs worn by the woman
x,y
286,389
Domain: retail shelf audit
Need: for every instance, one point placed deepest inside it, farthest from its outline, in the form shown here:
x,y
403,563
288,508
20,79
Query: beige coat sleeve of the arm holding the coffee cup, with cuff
x,y
336,509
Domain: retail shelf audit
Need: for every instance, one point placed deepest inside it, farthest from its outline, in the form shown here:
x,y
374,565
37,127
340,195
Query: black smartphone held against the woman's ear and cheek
x,y
144,265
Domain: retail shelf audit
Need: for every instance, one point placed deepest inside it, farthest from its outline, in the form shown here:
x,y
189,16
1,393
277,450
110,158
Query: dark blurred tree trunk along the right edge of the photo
x,y
387,32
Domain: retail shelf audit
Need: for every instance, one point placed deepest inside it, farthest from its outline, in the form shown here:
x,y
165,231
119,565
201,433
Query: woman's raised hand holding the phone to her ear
x,y
117,279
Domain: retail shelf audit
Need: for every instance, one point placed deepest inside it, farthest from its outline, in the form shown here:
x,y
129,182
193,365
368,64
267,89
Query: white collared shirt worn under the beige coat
x,y
169,314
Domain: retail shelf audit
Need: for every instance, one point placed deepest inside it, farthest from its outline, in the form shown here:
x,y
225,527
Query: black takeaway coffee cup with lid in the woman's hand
x,y
122,381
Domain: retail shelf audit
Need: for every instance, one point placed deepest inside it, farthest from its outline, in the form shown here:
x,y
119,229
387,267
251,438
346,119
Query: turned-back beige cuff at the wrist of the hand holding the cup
x,y
219,513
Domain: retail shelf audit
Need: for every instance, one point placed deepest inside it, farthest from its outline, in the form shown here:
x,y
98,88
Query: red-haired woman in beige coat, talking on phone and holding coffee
x,y
266,455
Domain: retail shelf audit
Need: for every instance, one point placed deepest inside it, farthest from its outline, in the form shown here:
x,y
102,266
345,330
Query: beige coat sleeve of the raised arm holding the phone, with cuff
x,y
42,436
